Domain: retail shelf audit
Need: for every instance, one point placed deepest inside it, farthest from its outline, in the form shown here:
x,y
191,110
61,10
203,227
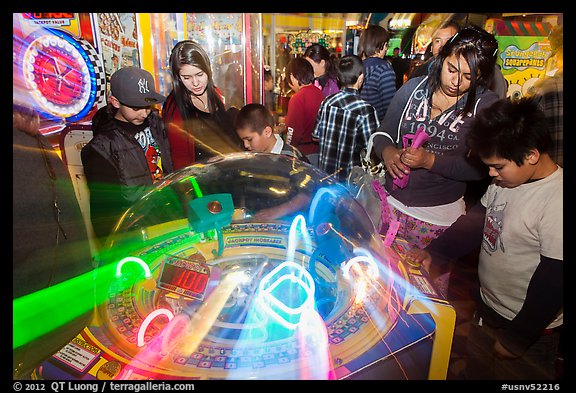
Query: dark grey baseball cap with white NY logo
x,y
133,86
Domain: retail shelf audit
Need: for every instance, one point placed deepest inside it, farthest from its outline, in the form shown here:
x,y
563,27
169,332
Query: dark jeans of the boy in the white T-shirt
x,y
537,363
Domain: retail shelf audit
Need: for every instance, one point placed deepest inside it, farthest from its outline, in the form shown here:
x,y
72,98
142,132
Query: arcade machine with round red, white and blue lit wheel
x,y
59,71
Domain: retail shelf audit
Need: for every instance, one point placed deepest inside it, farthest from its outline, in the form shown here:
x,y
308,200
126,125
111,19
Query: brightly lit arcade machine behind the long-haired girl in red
x,y
232,41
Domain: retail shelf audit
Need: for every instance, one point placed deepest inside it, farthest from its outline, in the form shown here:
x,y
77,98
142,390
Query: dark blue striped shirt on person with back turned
x,y
379,84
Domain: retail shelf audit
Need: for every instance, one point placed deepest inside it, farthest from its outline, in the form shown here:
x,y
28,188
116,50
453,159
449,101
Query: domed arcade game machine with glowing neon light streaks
x,y
253,266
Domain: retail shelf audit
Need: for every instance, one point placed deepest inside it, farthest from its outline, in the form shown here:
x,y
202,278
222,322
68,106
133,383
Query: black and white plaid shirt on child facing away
x,y
343,128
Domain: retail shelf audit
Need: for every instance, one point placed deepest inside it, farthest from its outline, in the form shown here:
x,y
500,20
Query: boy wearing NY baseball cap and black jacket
x,y
129,151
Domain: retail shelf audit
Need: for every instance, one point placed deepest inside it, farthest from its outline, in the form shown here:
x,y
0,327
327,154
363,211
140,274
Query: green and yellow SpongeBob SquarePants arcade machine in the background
x,y
523,51
